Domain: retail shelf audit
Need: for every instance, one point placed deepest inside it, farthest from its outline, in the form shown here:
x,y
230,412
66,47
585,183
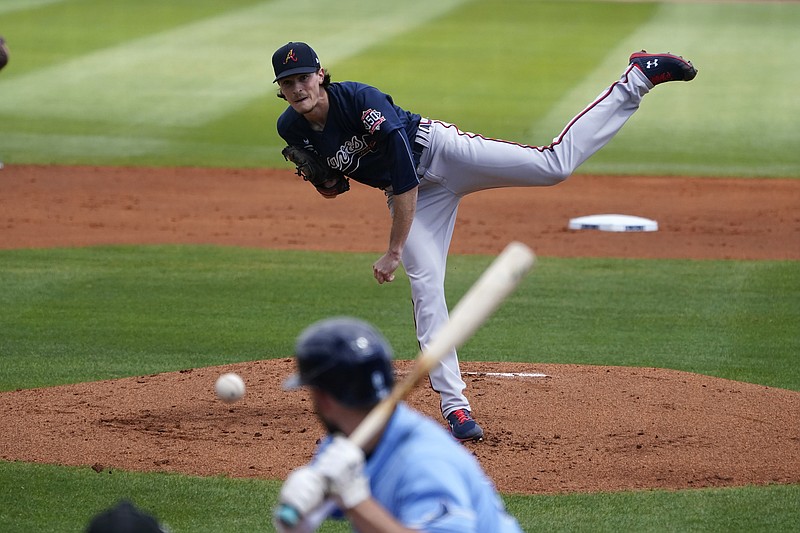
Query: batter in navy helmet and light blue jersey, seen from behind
x,y
410,477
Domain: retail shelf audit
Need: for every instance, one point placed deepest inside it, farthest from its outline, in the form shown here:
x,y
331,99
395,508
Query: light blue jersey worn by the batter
x,y
429,481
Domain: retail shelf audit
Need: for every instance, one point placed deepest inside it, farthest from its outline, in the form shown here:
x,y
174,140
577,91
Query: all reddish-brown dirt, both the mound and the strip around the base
x,y
580,428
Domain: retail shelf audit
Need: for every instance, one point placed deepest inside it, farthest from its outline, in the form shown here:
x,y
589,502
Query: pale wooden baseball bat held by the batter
x,y
480,301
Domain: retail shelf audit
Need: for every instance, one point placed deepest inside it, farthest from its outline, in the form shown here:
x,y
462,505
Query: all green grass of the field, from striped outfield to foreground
x,y
188,83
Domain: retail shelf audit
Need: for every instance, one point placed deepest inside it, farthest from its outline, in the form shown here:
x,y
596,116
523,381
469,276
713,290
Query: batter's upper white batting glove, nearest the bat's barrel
x,y
342,466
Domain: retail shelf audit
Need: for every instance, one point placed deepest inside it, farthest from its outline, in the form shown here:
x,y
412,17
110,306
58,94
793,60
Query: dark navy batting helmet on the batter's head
x,y
345,357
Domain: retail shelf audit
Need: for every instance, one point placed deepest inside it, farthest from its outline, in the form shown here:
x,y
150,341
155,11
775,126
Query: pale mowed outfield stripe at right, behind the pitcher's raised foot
x,y
709,128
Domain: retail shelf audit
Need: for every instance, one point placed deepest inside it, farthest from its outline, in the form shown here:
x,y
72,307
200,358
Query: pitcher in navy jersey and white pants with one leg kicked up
x,y
425,167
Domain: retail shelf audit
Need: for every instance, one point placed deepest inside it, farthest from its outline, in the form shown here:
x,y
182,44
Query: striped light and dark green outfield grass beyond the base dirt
x,y
190,83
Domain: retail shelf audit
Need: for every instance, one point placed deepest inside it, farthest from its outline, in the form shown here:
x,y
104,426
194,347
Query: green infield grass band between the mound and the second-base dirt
x,y
73,315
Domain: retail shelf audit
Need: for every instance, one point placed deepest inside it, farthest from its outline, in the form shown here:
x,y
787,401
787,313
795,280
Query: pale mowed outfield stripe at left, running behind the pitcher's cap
x,y
198,72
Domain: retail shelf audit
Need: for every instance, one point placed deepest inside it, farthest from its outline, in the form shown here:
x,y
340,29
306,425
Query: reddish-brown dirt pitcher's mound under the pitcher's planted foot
x,y
578,428
